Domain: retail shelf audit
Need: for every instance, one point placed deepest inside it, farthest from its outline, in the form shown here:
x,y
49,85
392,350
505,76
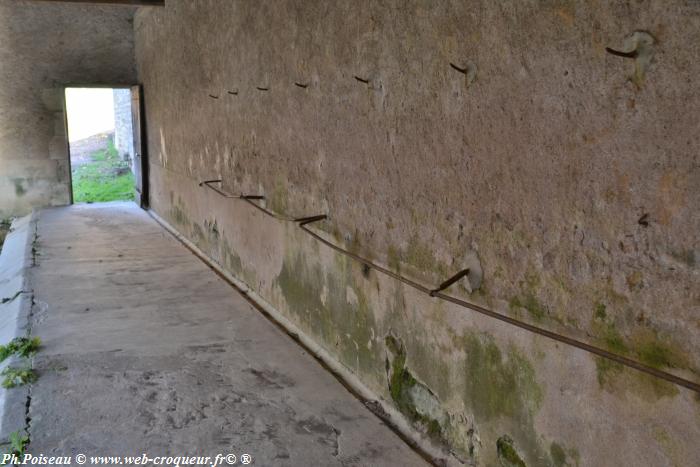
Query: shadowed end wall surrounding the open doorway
x,y
42,47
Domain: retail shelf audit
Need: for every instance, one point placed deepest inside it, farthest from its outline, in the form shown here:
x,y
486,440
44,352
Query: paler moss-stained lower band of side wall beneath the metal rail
x,y
483,389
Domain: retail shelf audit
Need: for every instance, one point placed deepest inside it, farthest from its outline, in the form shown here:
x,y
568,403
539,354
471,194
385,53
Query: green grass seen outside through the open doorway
x,y
103,179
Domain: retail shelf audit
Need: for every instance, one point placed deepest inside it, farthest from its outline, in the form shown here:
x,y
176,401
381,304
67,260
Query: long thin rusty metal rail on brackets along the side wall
x,y
437,292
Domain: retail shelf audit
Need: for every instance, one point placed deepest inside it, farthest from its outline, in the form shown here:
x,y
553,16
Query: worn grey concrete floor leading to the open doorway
x,y
146,350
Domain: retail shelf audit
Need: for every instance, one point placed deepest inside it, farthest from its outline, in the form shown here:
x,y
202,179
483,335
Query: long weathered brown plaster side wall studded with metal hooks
x,y
571,173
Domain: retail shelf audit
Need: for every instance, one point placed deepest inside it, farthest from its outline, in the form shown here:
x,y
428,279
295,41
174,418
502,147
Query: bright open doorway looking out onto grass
x,y
101,144
